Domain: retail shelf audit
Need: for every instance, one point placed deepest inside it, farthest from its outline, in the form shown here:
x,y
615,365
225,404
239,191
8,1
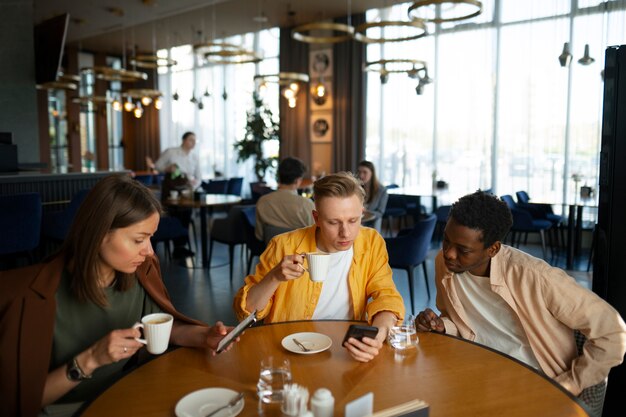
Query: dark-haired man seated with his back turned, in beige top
x,y
285,208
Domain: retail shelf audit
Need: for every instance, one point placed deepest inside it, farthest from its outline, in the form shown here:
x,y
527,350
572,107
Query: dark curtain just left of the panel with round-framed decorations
x,y
294,123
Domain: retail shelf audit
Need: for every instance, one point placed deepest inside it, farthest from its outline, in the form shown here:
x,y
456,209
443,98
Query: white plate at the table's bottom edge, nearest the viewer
x,y
202,402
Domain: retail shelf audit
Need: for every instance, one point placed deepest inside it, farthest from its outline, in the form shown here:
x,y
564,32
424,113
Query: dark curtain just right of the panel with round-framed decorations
x,y
349,104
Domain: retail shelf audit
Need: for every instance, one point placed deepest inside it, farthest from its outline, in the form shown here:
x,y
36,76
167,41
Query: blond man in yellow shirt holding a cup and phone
x,y
358,270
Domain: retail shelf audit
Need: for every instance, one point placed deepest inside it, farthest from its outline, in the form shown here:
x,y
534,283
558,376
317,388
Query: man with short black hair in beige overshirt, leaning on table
x,y
503,298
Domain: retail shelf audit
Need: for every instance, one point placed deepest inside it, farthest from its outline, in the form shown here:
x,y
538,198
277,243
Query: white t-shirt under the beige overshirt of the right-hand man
x,y
492,319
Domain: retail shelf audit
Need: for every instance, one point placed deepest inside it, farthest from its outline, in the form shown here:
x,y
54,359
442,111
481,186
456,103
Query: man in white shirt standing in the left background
x,y
181,158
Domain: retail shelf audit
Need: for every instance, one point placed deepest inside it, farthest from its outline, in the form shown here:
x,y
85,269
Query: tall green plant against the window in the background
x,y
261,128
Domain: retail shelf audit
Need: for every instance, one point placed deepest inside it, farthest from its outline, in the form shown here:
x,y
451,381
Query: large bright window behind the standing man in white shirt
x,y
225,92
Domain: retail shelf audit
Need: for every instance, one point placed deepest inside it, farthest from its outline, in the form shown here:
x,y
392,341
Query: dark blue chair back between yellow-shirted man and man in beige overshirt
x,y
412,249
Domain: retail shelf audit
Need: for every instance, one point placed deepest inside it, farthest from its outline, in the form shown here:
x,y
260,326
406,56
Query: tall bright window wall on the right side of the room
x,y
502,113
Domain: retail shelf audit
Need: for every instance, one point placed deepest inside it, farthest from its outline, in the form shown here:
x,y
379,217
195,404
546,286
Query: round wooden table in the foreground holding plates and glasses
x,y
455,377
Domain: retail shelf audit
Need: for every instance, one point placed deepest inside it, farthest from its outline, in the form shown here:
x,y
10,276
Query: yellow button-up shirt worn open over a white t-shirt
x,y
369,277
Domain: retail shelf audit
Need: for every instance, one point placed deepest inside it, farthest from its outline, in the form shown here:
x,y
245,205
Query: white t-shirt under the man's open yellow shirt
x,y
334,301
